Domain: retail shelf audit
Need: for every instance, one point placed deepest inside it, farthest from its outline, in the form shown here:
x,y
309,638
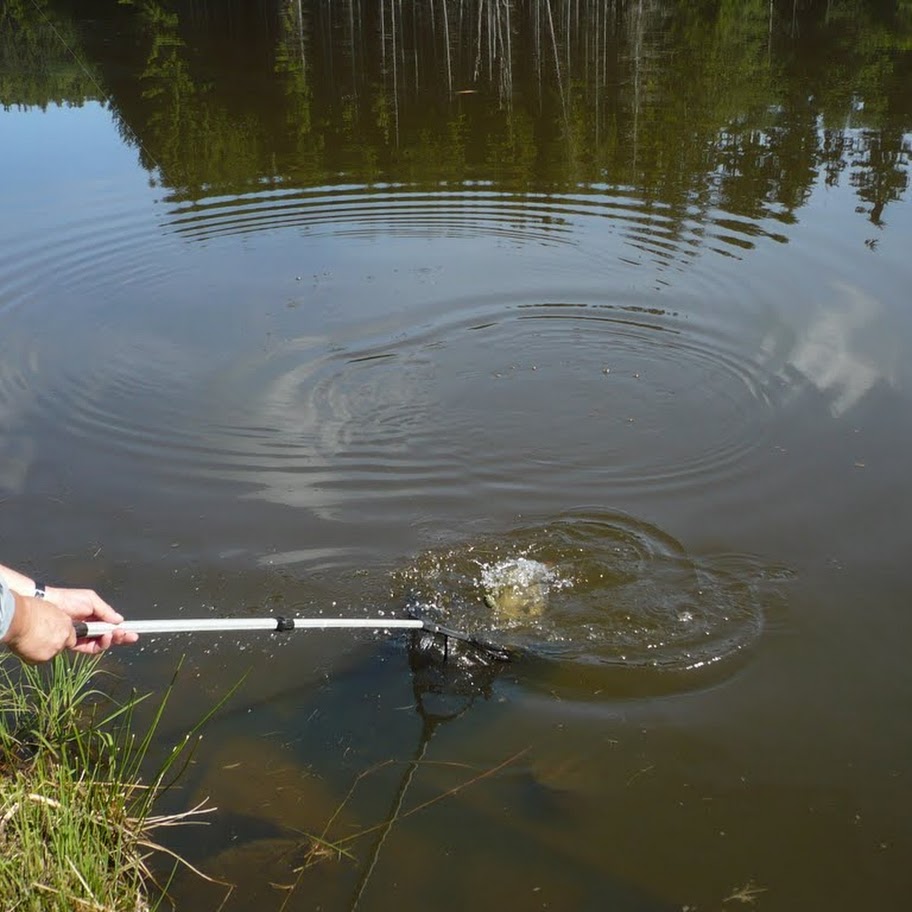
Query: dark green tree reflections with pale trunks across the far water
x,y
732,105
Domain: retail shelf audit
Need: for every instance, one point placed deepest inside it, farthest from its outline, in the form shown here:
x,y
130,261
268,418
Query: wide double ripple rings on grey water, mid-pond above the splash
x,y
491,400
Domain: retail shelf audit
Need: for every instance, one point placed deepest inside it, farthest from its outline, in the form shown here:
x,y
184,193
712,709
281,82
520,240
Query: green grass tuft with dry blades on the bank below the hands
x,y
76,822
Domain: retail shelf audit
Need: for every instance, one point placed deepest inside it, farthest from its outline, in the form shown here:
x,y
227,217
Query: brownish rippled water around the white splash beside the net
x,y
623,596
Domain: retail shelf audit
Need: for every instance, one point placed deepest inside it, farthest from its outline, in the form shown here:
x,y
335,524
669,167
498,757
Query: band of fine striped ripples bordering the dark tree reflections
x,y
663,232
